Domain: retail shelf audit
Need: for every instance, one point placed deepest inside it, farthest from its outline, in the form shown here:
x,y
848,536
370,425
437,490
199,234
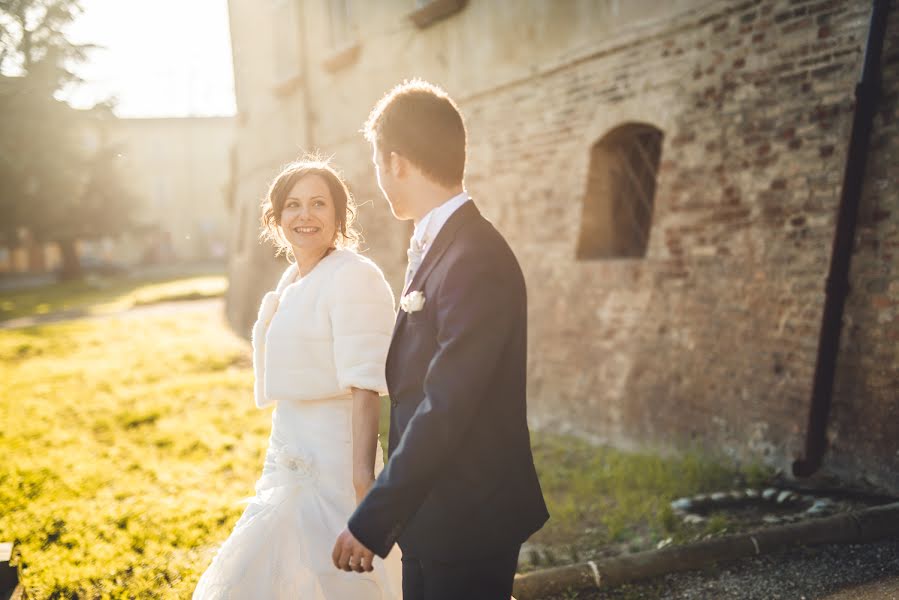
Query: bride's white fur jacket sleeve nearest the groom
x,y
362,318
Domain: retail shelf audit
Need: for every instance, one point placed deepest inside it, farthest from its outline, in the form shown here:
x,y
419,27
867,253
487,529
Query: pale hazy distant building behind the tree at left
x,y
178,171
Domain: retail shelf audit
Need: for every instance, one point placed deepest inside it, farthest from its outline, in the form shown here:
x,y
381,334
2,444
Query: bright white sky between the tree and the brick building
x,y
160,58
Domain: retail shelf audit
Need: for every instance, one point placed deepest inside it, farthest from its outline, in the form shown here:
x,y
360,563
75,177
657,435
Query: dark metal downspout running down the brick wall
x,y
867,94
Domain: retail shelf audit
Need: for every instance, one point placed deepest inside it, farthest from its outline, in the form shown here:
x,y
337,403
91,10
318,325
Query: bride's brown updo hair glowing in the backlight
x,y
344,204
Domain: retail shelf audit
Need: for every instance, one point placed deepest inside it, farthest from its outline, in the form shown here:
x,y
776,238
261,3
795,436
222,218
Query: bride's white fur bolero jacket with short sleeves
x,y
317,337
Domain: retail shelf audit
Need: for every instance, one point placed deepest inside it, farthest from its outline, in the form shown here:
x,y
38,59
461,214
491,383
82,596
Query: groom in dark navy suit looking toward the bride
x,y
460,493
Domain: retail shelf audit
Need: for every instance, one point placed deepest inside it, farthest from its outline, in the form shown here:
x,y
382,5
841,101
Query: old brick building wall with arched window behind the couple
x,y
668,175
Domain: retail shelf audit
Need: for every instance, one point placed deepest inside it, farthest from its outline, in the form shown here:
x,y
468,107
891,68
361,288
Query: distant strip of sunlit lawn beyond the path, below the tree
x,y
96,296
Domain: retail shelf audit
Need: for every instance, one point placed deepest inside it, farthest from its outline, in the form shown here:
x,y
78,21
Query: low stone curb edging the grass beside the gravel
x,y
867,525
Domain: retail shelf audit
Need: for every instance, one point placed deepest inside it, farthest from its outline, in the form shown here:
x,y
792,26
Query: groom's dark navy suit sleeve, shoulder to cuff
x,y
477,307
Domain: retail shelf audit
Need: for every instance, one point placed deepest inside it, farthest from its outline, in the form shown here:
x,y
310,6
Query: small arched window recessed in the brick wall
x,y
621,185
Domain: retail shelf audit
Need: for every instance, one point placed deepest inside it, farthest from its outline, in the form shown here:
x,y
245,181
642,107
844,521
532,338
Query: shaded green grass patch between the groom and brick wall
x,y
605,502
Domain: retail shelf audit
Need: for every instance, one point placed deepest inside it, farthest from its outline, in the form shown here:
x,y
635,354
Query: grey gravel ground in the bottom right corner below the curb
x,y
797,574
